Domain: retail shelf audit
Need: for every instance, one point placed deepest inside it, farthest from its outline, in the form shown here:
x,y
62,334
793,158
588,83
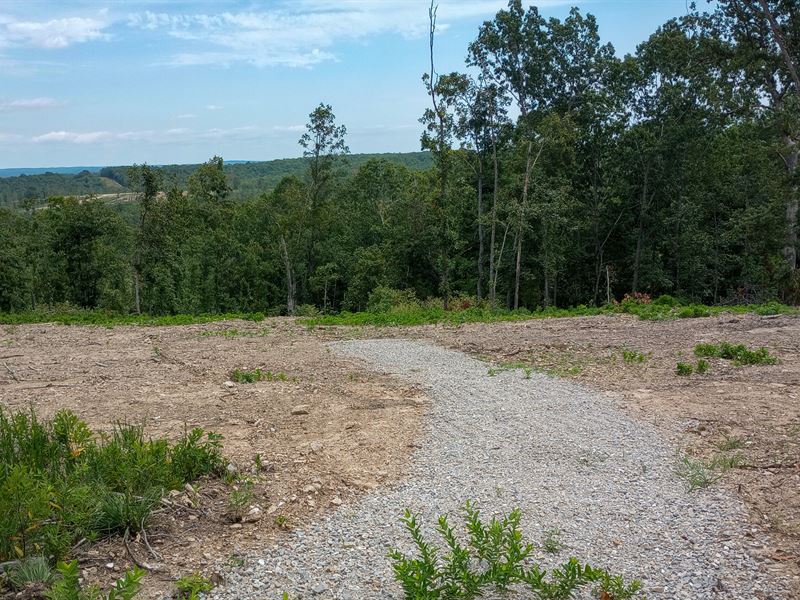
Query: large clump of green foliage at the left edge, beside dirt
x,y
60,483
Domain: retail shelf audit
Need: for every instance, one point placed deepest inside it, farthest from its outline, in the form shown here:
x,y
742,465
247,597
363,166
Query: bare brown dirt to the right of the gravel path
x,y
751,412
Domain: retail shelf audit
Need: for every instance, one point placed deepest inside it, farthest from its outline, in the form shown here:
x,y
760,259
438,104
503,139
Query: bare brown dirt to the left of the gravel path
x,y
358,432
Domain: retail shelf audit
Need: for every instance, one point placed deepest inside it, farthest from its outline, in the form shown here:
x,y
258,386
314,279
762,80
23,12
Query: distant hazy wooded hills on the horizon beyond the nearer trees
x,y
246,178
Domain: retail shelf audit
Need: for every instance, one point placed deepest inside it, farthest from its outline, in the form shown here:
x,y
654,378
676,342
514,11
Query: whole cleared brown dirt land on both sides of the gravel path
x,y
362,425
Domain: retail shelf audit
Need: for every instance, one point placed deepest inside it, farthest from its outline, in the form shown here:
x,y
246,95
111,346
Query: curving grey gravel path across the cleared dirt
x,y
562,453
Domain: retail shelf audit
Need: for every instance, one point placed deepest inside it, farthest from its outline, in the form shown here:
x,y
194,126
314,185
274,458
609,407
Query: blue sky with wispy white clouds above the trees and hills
x,y
90,82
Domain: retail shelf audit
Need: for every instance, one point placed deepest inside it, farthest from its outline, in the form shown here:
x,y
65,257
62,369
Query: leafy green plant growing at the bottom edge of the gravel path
x,y
494,558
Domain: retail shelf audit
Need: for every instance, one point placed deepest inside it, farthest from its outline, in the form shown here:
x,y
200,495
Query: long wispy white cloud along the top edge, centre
x,y
301,33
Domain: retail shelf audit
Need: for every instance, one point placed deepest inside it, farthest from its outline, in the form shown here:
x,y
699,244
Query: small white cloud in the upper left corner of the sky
x,y
55,33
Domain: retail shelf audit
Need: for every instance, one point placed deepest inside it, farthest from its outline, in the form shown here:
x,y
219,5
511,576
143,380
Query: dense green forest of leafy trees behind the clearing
x,y
561,175
